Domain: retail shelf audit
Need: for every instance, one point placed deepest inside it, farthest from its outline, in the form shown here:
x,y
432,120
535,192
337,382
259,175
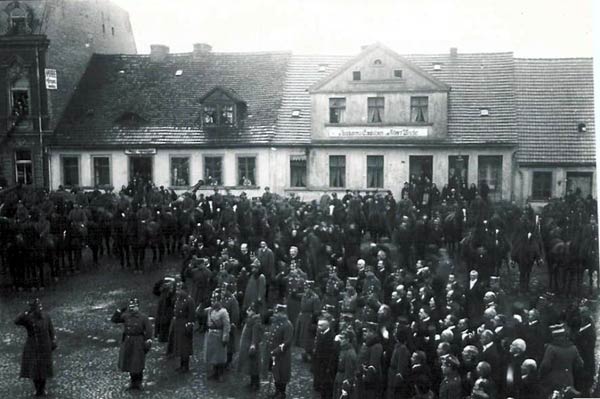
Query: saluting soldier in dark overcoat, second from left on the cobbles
x,y
136,341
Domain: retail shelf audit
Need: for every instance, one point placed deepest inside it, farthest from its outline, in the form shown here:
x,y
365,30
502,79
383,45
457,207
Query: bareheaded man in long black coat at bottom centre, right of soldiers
x,y
324,357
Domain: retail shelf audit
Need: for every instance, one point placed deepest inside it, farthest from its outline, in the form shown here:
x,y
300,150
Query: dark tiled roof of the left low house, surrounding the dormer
x,y
168,105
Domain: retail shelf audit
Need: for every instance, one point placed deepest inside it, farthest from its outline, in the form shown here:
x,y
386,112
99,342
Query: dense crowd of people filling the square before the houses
x,y
373,291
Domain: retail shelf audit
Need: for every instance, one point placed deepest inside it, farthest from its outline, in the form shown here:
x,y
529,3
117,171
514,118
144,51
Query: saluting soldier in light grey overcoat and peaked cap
x,y
215,319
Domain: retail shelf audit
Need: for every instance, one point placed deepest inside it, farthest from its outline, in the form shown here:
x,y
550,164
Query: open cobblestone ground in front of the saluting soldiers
x,y
85,362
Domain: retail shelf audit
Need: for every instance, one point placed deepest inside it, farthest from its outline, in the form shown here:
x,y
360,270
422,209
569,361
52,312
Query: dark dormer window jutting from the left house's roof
x,y
221,107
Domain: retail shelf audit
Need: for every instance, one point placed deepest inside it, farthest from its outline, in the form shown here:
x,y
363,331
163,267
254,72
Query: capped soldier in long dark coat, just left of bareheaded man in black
x,y
280,349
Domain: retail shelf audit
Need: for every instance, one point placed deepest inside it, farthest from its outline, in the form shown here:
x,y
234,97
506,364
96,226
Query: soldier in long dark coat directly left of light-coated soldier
x,y
182,328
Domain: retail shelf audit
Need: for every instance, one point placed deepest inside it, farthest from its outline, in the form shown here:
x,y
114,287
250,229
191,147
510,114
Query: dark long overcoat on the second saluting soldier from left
x,y
137,329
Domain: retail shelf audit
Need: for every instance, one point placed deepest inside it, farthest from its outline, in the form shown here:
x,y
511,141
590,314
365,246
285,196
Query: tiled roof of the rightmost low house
x,y
553,97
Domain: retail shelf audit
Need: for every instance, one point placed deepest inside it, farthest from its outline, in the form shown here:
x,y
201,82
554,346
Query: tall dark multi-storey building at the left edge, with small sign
x,y
34,38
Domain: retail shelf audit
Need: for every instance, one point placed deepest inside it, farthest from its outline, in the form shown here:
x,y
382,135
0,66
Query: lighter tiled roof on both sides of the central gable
x,y
476,80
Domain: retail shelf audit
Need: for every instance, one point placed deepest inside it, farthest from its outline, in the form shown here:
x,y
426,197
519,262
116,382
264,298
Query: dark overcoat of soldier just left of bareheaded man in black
x,y
280,348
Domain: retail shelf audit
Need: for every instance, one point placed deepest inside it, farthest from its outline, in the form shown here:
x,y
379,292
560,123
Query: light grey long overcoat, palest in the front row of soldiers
x,y
215,339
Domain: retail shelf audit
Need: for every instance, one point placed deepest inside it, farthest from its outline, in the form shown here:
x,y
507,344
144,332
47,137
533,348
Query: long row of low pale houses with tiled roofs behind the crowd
x,y
316,124
